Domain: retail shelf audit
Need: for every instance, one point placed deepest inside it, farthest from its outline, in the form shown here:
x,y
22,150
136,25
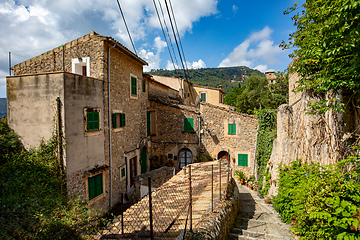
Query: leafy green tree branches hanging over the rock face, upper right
x,y
327,47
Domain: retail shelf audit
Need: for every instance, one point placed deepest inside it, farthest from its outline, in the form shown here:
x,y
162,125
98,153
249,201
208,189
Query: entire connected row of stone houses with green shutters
x,y
116,121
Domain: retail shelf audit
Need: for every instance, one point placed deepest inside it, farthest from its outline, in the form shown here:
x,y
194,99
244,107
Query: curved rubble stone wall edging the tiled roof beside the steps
x,y
217,224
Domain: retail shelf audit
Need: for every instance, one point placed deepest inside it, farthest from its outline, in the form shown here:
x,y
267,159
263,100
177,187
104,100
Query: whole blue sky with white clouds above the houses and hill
x,y
214,33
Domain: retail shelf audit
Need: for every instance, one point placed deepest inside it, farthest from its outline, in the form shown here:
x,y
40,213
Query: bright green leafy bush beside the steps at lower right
x,y
321,202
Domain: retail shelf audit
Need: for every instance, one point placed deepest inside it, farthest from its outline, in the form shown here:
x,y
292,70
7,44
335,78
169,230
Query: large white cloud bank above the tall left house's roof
x,y
45,24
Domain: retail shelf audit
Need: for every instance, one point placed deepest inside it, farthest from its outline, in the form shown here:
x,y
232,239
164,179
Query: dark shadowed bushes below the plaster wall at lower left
x,y
34,203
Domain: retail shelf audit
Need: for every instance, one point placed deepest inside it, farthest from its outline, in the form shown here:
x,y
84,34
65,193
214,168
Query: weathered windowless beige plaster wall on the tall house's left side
x,y
32,106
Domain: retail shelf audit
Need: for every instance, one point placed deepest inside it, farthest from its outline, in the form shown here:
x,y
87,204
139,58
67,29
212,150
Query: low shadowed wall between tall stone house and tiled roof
x,y
158,177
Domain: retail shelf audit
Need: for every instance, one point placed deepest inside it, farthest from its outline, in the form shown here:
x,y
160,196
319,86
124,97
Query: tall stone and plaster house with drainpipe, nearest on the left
x,y
79,74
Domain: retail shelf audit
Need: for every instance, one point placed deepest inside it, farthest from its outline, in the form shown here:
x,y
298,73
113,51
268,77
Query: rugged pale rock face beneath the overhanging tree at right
x,y
323,139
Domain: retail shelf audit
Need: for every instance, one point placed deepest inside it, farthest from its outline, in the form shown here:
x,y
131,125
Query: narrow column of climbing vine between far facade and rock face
x,y
266,136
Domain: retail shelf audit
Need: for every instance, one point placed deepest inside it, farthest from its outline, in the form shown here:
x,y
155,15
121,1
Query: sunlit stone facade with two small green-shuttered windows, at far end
x,y
215,137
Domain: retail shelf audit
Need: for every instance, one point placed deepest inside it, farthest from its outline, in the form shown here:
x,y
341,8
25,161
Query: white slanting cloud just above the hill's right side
x,y
257,51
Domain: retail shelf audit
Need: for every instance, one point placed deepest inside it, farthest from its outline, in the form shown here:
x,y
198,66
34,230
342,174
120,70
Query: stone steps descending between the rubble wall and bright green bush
x,y
257,220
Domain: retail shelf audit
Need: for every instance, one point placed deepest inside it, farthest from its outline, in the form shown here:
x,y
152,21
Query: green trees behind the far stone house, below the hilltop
x,y
257,94
